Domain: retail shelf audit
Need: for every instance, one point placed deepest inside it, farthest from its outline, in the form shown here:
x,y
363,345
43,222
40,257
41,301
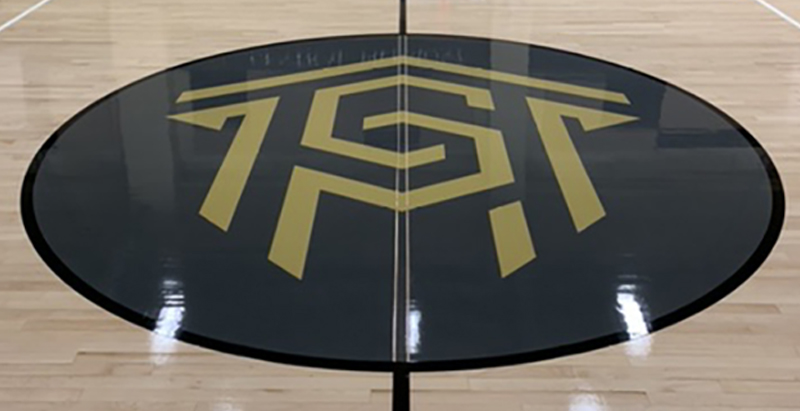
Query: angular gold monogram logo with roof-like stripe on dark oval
x,y
512,238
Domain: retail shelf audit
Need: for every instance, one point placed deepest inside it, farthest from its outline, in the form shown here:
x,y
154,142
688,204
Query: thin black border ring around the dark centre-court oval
x,y
737,279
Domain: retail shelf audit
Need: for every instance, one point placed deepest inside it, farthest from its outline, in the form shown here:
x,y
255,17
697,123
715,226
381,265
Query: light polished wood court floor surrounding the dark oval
x,y
59,352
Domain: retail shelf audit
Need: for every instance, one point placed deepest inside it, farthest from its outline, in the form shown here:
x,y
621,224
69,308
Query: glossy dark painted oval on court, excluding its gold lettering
x,y
693,207
